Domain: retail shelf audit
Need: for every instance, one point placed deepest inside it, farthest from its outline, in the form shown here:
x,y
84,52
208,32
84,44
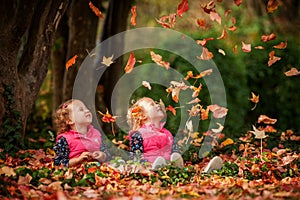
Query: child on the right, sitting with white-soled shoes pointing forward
x,y
150,140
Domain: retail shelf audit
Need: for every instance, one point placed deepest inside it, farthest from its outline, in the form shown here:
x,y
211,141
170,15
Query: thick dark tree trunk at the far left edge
x,y
27,31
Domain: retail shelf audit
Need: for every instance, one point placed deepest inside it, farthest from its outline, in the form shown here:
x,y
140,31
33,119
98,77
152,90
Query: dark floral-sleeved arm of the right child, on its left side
x,y
136,146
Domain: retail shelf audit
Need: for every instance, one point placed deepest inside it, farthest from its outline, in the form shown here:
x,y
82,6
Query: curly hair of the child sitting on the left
x,y
61,116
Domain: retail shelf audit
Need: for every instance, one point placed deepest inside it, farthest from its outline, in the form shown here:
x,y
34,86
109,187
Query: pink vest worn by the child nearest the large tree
x,y
79,143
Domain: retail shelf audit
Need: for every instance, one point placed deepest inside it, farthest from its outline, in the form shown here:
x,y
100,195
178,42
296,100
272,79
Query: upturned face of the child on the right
x,y
153,110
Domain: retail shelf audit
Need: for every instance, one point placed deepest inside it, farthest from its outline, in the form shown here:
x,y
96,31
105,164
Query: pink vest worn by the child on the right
x,y
156,142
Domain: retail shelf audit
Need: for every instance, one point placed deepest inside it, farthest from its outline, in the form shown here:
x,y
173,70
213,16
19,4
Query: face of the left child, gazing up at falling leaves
x,y
79,114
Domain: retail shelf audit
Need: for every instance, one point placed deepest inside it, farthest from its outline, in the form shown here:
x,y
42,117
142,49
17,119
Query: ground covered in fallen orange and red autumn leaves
x,y
246,174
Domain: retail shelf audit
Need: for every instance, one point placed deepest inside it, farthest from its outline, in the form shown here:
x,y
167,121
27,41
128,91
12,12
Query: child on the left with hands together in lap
x,y
77,140
